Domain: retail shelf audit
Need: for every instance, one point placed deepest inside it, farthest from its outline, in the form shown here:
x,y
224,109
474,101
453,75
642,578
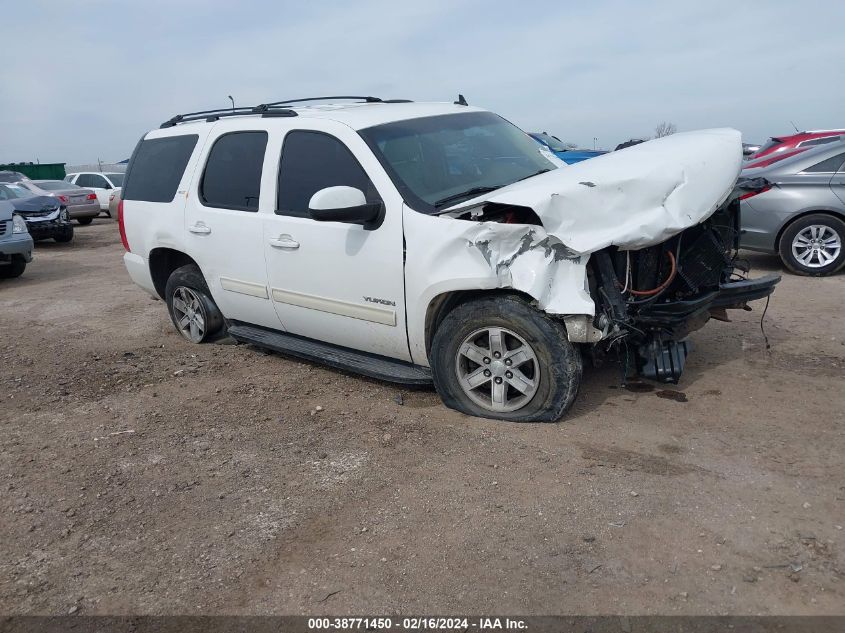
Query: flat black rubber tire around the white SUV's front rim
x,y
557,359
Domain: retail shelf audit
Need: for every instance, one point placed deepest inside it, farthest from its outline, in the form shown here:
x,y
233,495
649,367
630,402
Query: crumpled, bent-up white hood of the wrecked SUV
x,y
634,198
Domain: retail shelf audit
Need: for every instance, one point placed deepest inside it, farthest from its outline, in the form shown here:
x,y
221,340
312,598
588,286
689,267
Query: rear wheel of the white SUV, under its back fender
x,y
191,308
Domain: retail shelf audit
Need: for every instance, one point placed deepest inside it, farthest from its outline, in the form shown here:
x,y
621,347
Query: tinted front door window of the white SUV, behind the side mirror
x,y
312,161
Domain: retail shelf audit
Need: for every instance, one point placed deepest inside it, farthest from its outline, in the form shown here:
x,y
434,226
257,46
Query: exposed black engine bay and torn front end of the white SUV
x,y
649,300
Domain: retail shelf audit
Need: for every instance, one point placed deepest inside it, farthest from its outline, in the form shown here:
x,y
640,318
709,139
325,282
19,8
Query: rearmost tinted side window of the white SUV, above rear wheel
x,y
156,168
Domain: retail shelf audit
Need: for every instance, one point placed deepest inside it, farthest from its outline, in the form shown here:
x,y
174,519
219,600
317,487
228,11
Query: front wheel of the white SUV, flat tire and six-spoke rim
x,y
498,357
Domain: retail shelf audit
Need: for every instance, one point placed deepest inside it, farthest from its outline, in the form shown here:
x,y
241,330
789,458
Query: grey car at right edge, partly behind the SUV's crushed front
x,y
797,210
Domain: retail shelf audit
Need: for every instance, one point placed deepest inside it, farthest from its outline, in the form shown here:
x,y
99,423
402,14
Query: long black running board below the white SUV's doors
x,y
378,367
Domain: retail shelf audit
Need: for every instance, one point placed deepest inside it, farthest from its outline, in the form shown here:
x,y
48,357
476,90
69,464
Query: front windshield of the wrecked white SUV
x,y
439,161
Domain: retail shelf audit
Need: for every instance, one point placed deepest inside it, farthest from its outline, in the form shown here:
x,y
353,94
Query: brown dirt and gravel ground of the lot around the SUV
x,y
140,474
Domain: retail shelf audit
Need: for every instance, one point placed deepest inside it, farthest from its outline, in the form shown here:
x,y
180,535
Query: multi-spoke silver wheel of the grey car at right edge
x,y
813,245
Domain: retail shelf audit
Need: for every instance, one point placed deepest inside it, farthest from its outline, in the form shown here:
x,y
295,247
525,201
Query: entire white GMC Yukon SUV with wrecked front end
x,y
420,242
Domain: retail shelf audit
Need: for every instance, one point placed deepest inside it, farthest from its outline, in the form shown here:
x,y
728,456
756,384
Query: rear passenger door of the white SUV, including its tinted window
x,y
224,226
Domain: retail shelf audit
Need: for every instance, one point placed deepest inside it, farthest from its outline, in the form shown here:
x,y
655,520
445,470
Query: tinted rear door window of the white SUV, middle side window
x,y
232,176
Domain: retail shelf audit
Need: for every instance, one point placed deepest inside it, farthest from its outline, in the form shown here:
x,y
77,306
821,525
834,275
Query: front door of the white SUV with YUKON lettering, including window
x,y
331,281
